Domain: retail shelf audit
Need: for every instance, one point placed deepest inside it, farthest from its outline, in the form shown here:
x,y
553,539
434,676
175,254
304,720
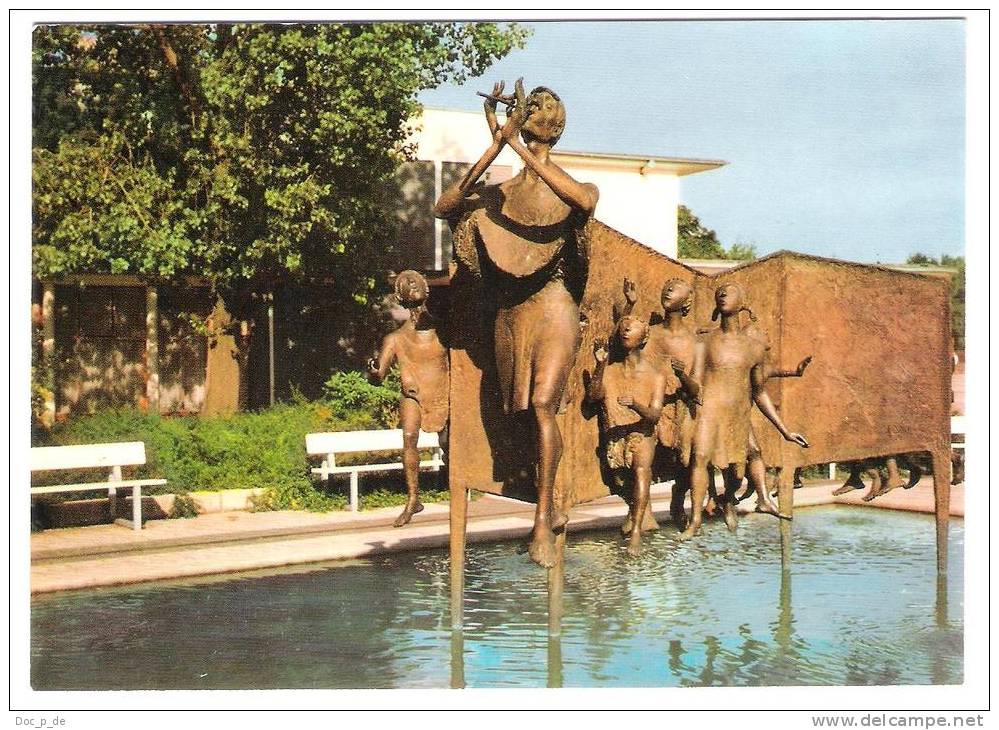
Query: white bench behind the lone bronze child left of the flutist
x,y
331,445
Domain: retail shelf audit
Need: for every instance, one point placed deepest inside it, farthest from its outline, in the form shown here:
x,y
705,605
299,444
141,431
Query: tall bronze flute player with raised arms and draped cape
x,y
521,240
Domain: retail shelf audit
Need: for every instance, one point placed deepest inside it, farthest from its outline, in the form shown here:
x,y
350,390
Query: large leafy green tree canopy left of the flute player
x,y
251,154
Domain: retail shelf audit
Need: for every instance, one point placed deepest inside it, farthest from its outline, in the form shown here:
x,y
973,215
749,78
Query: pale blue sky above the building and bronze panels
x,y
843,138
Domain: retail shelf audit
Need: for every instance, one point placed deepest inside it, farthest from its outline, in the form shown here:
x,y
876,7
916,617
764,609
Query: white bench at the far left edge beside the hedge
x,y
97,456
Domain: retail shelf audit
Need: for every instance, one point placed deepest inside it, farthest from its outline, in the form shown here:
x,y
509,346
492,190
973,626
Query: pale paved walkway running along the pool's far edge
x,y
102,555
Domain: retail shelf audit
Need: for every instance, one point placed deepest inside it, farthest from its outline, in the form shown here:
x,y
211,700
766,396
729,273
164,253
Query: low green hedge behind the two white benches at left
x,y
265,449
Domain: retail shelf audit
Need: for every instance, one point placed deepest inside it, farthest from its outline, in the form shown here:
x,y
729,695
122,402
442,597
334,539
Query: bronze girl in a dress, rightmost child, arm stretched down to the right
x,y
729,364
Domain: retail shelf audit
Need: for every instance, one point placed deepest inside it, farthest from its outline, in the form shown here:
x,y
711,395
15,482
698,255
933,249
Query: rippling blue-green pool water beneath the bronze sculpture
x,y
717,611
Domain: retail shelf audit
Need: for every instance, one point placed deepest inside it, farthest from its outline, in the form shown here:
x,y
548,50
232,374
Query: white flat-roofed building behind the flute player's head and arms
x,y
639,194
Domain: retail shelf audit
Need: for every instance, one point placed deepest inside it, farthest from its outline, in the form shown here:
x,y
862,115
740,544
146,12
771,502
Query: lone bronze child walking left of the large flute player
x,y
423,369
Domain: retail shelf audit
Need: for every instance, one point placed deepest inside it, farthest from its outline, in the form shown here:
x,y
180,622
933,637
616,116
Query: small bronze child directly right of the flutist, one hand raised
x,y
631,393
